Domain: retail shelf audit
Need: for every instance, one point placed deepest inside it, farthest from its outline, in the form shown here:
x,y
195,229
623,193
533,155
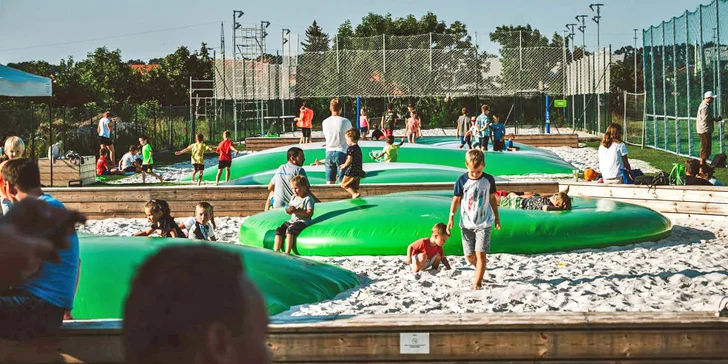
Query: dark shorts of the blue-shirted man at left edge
x,y
24,316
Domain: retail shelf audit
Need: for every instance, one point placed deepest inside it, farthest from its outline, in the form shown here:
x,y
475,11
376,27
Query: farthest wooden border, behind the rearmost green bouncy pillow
x,y
536,140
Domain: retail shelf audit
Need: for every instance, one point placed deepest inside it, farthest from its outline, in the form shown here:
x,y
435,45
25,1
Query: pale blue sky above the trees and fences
x,y
52,30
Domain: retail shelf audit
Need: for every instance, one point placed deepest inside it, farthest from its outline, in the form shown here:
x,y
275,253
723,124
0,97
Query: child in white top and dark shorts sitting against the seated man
x,y
301,210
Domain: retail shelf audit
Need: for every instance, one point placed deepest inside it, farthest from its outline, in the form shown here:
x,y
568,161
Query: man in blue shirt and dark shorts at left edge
x,y
36,306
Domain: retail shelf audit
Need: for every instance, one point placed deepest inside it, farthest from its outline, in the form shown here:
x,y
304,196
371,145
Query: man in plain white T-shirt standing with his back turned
x,y
335,128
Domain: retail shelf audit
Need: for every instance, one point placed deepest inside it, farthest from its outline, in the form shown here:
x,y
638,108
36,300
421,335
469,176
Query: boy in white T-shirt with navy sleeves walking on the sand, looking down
x,y
474,193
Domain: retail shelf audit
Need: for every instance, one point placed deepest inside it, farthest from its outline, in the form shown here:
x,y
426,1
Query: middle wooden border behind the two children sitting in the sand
x,y
112,202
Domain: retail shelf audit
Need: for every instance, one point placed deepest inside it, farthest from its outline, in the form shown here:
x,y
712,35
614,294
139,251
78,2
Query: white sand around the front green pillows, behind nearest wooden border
x,y
681,273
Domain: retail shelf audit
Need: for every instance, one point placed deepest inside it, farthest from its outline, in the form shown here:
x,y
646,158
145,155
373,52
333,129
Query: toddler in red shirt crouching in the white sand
x,y
427,252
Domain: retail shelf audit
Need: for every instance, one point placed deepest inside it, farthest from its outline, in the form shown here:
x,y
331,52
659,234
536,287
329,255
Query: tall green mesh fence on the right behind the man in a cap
x,y
685,57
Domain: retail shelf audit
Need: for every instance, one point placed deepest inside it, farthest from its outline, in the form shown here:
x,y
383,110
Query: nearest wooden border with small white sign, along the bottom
x,y
617,337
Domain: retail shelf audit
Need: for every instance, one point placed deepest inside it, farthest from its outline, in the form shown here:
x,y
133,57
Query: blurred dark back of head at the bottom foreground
x,y
174,314
